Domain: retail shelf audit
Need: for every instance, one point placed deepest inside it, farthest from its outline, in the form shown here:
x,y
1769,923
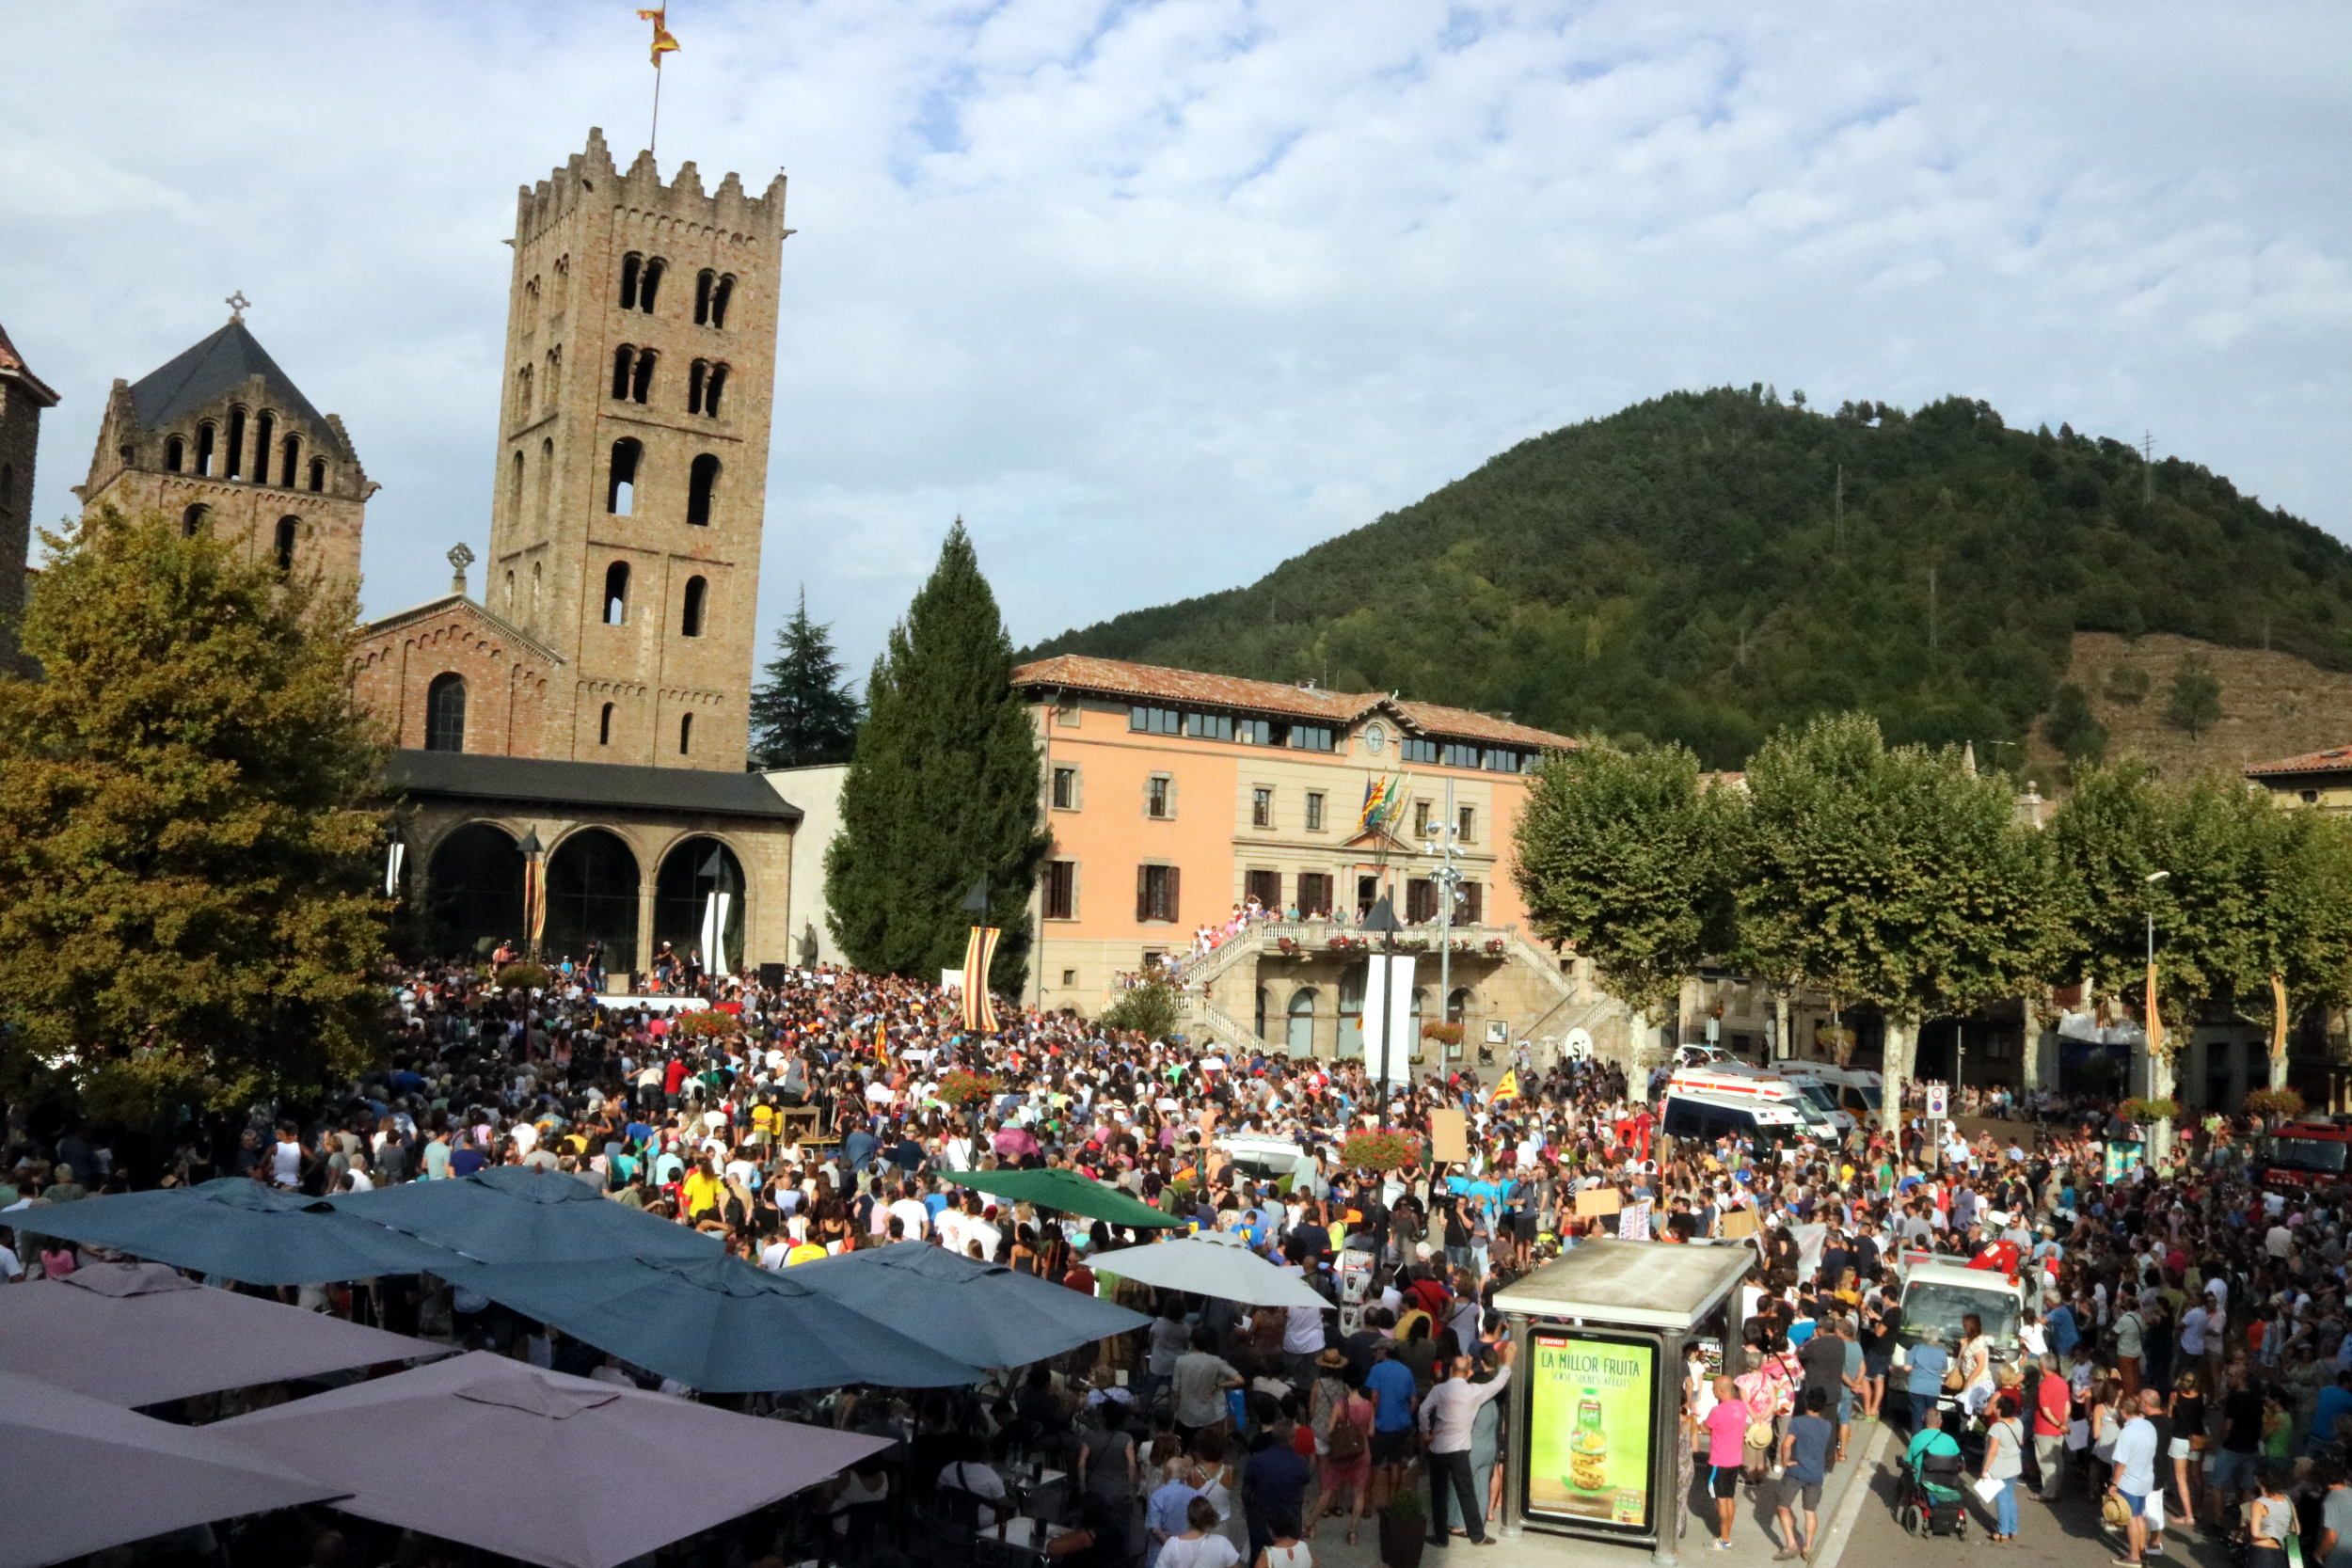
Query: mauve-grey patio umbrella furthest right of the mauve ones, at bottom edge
x,y
556,1470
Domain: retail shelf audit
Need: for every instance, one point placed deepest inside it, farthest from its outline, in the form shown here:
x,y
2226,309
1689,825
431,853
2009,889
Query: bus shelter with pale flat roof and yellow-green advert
x,y
1598,1398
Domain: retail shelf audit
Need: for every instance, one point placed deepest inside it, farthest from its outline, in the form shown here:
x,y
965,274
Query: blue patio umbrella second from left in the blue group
x,y
521,1214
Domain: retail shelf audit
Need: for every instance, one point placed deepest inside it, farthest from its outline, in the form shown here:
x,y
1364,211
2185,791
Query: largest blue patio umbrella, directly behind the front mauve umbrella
x,y
719,1325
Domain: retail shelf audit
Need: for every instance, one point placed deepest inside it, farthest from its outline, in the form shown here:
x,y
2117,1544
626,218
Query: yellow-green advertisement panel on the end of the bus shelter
x,y
1593,1402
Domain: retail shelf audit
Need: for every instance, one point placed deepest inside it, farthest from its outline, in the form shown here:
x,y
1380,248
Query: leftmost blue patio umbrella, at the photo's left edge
x,y
236,1228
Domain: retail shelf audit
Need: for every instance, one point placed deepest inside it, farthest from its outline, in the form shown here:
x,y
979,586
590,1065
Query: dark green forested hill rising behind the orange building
x,y
1713,565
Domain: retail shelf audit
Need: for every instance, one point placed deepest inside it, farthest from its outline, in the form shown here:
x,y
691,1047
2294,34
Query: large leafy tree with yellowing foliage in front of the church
x,y
187,840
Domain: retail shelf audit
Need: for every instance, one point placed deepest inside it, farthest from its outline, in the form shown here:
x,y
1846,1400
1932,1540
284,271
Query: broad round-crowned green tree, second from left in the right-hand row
x,y
1890,876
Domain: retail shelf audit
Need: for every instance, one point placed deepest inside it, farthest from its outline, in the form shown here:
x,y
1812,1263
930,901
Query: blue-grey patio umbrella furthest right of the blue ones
x,y
973,1311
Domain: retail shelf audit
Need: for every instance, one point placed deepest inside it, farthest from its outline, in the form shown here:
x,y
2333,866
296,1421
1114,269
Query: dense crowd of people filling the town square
x,y
2186,1351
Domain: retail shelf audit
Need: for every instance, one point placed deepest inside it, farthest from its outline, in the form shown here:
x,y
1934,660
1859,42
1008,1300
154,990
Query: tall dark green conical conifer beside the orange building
x,y
942,789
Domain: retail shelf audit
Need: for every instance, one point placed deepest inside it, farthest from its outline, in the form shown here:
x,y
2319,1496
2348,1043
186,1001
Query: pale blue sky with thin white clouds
x,y
1158,295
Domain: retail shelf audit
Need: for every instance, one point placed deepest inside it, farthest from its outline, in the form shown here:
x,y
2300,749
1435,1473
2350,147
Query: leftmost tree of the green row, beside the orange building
x,y
1622,857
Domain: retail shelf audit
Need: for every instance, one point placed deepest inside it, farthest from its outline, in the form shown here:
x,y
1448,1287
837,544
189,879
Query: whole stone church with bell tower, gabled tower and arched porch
x,y
592,706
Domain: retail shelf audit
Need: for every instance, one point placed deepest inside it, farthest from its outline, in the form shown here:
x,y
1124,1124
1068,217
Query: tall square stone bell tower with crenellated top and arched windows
x,y
641,361
